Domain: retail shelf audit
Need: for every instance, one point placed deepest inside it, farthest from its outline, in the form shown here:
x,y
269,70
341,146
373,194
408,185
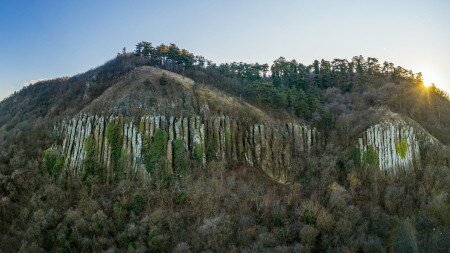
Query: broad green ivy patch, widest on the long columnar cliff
x,y
155,155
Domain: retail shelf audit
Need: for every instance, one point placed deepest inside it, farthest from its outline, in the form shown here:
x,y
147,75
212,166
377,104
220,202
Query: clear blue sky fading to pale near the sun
x,y
47,39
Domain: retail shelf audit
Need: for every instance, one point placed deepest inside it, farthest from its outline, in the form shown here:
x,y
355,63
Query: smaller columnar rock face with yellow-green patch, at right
x,y
393,144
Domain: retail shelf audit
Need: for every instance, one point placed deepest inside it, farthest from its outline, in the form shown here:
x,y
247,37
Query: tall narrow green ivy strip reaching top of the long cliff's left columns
x,y
114,136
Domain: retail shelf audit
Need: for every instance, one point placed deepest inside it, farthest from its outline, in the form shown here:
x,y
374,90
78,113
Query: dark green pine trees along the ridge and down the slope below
x,y
287,85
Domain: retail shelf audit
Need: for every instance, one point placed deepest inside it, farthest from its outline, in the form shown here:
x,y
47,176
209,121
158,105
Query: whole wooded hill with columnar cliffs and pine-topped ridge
x,y
160,150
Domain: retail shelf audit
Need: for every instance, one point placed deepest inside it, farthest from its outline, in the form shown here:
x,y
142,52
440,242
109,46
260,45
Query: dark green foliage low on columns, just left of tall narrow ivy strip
x,y
92,171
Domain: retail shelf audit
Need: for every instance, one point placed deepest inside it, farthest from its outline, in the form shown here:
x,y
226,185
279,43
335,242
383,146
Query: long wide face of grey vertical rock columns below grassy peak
x,y
272,148
